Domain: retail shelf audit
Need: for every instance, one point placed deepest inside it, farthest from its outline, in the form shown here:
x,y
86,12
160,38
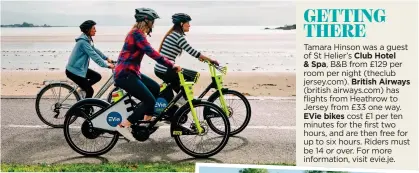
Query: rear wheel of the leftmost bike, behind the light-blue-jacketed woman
x,y
54,117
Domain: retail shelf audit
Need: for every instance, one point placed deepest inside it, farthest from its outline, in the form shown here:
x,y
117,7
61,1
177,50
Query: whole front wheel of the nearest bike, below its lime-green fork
x,y
184,130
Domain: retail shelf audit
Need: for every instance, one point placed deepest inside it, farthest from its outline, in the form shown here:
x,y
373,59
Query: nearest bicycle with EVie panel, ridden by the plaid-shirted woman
x,y
111,114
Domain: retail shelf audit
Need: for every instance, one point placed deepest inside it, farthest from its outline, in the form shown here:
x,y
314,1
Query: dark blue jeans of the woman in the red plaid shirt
x,y
144,89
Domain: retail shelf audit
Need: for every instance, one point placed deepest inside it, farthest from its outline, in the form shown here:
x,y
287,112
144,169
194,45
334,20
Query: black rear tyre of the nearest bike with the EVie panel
x,y
90,102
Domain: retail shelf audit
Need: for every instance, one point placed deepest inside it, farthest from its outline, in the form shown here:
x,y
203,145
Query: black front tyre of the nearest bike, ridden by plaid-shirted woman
x,y
184,110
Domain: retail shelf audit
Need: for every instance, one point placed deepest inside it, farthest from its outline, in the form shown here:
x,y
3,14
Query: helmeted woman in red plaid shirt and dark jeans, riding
x,y
127,72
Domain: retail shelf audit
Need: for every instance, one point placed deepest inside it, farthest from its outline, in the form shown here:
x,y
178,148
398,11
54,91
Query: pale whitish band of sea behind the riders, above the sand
x,y
241,48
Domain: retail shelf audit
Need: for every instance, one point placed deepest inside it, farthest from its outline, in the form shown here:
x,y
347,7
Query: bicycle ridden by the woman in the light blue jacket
x,y
59,104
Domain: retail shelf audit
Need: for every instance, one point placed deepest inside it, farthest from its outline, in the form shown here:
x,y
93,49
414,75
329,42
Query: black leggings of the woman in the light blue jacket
x,y
85,84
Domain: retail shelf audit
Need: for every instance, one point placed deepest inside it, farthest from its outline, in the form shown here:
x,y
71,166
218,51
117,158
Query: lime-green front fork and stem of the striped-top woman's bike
x,y
217,83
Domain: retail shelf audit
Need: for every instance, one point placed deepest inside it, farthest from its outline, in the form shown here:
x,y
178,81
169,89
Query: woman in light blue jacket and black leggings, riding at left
x,y
77,68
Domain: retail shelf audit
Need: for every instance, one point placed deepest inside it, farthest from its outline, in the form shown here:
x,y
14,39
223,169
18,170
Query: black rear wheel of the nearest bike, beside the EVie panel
x,y
86,129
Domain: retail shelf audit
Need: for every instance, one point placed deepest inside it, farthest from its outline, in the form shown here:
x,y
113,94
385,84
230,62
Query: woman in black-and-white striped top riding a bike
x,y
171,46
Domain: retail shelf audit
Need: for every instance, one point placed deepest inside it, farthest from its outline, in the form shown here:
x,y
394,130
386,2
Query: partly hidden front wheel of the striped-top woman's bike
x,y
239,117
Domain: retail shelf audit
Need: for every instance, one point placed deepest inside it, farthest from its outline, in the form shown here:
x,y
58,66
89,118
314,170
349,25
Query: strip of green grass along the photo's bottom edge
x,y
105,167
